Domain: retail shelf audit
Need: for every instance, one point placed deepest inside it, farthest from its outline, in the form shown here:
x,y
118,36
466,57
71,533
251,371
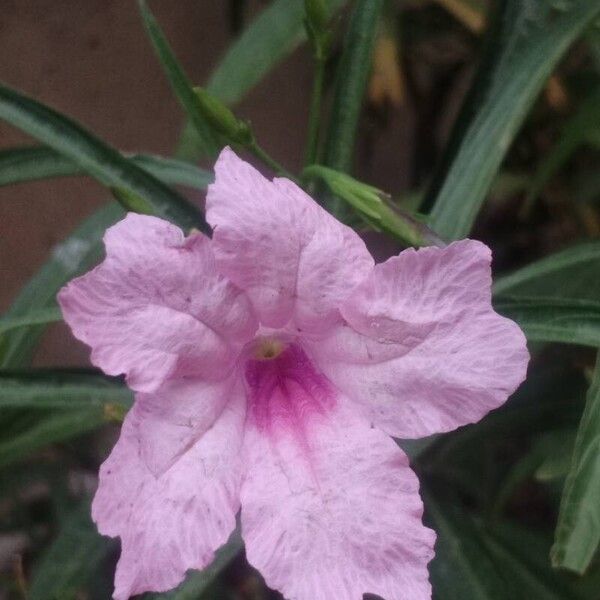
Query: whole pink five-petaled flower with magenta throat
x,y
271,365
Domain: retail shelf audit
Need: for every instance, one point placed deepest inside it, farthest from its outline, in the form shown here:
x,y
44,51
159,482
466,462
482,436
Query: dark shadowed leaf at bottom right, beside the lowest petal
x,y
473,561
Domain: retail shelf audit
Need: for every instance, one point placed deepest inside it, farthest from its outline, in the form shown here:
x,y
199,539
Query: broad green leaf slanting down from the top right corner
x,y
525,43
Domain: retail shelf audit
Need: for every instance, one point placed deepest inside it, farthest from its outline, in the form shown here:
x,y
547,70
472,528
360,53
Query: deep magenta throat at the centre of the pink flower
x,y
285,391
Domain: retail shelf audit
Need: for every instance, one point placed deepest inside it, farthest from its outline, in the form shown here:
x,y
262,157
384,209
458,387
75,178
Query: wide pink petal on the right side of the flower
x,y
422,350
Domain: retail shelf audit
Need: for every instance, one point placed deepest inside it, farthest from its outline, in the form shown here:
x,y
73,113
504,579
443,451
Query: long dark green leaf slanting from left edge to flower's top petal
x,y
95,157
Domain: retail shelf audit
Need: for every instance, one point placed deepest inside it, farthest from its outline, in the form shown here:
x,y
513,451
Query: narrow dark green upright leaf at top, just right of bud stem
x,y
351,82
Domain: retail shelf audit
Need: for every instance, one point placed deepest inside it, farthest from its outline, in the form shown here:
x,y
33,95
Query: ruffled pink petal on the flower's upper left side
x,y
156,308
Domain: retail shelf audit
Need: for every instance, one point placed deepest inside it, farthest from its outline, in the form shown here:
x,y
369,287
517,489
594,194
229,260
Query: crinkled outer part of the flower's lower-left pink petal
x,y
174,522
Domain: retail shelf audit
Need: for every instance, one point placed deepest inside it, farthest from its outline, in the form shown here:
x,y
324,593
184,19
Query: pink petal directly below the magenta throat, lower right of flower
x,y
335,513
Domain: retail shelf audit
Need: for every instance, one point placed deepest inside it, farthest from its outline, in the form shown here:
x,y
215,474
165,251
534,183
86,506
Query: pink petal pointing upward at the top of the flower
x,y
271,239
